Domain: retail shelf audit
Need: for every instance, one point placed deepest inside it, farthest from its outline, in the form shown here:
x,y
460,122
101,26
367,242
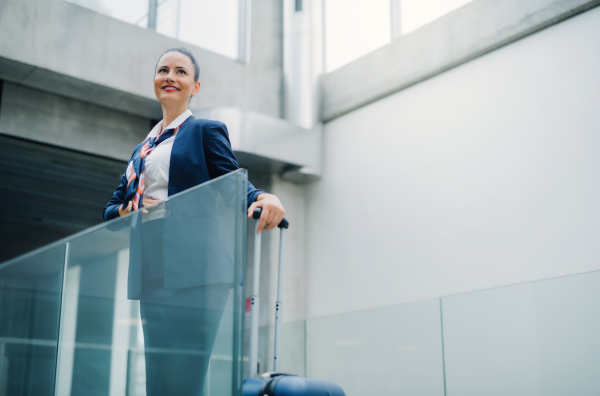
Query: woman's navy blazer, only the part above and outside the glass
x,y
201,152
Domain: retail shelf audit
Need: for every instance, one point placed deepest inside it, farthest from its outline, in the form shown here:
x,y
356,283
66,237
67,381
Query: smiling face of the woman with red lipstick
x,y
174,79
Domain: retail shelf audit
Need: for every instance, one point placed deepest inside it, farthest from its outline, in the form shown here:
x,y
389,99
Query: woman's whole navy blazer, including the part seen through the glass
x,y
193,250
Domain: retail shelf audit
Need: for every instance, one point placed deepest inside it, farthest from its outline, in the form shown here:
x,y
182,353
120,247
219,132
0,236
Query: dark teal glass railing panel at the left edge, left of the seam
x,y
30,297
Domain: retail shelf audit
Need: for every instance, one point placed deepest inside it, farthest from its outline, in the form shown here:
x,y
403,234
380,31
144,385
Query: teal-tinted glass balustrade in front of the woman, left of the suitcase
x,y
133,304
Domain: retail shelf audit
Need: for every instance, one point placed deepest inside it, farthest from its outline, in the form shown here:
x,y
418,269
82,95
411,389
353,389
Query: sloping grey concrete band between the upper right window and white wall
x,y
464,34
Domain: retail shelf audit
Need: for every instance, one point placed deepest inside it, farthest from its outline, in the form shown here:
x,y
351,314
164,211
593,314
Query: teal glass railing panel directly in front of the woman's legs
x,y
153,301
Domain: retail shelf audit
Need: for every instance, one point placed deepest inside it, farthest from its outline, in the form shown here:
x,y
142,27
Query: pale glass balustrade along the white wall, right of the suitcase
x,y
533,339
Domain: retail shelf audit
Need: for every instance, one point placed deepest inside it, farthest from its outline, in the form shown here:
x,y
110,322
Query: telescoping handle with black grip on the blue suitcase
x,y
255,300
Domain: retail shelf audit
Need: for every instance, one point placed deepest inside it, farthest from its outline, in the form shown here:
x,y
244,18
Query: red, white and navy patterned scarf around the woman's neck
x,y
135,184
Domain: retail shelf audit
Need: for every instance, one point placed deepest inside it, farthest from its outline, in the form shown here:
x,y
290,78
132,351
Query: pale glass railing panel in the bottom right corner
x,y
538,338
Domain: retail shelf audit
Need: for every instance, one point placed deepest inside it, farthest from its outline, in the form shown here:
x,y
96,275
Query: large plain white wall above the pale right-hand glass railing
x,y
485,175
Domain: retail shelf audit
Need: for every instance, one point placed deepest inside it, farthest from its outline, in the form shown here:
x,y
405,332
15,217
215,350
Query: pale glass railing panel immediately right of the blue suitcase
x,y
392,350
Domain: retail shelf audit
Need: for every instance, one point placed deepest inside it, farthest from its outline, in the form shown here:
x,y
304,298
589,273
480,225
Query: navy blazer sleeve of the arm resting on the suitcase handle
x,y
220,158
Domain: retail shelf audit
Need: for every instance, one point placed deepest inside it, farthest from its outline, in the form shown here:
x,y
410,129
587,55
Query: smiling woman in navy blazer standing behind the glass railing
x,y
180,306
